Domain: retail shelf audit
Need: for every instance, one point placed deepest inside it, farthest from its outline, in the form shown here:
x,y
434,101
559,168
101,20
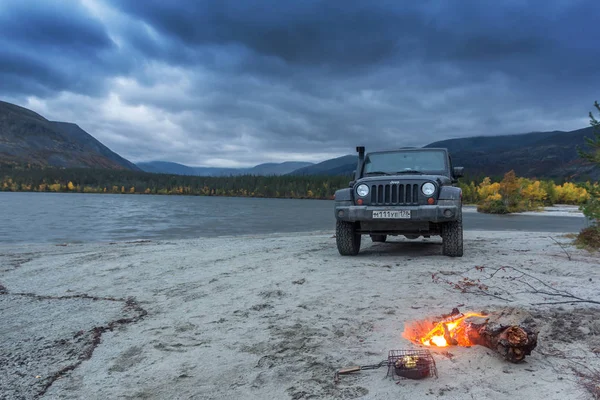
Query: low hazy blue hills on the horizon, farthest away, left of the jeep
x,y
165,167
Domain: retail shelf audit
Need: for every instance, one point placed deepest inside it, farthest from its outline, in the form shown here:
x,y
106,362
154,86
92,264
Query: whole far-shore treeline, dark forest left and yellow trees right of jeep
x,y
509,194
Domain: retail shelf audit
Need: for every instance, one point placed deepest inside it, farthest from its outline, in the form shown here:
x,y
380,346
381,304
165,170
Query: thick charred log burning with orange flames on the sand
x,y
511,333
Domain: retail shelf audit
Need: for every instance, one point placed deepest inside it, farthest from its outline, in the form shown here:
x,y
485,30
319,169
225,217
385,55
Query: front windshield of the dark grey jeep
x,y
406,161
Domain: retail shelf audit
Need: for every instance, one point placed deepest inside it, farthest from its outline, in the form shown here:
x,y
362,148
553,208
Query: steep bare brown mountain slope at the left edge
x,y
28,138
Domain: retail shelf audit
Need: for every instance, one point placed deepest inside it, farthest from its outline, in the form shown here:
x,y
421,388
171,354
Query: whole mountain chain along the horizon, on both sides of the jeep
x,y
27,137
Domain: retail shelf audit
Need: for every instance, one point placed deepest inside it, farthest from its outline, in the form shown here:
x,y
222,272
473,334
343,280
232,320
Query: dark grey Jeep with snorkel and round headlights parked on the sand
x,y
407,192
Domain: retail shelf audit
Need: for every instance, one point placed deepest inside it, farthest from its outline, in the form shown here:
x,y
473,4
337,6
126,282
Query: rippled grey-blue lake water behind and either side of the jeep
x,y
78,217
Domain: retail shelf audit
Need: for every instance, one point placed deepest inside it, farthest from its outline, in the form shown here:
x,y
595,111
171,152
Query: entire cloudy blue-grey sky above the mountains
x,y
240,82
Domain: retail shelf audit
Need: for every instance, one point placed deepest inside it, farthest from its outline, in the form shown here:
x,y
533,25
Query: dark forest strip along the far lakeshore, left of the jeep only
x,y
85,180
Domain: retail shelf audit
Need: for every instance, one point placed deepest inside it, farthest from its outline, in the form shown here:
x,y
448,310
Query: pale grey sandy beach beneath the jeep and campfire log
x,y
274,316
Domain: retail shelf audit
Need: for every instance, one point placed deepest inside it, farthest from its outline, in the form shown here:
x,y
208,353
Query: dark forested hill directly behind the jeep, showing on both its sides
x,y
551,155
